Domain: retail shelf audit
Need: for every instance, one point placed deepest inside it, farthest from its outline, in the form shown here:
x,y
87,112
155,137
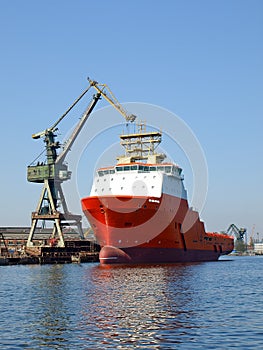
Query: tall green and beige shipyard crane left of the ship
x,y
54,171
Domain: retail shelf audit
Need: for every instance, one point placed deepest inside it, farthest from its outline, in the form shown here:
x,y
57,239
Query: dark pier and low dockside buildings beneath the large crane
x,y
13,249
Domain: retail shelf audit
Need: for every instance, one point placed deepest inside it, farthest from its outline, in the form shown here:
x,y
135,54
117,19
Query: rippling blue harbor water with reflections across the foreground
x,y
210,305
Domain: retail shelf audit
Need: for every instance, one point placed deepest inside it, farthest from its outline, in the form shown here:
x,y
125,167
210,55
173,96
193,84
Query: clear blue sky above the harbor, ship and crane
x,y
201,60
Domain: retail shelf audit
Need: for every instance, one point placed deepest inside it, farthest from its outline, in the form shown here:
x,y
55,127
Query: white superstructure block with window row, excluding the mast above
x,y
139,180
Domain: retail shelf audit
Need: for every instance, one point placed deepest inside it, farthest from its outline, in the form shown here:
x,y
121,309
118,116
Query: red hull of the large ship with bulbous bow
x,y
151,230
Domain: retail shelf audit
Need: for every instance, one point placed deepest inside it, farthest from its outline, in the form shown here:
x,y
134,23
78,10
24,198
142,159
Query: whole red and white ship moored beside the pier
x,y
139,212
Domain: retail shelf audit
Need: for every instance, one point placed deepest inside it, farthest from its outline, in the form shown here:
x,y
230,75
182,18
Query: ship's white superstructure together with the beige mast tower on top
x,y
140,171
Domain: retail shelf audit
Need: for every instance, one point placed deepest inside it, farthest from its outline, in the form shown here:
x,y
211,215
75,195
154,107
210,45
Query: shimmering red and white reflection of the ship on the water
x,y
139,305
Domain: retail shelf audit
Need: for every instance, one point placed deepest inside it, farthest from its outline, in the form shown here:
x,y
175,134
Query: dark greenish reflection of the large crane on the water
x,y
50,317
